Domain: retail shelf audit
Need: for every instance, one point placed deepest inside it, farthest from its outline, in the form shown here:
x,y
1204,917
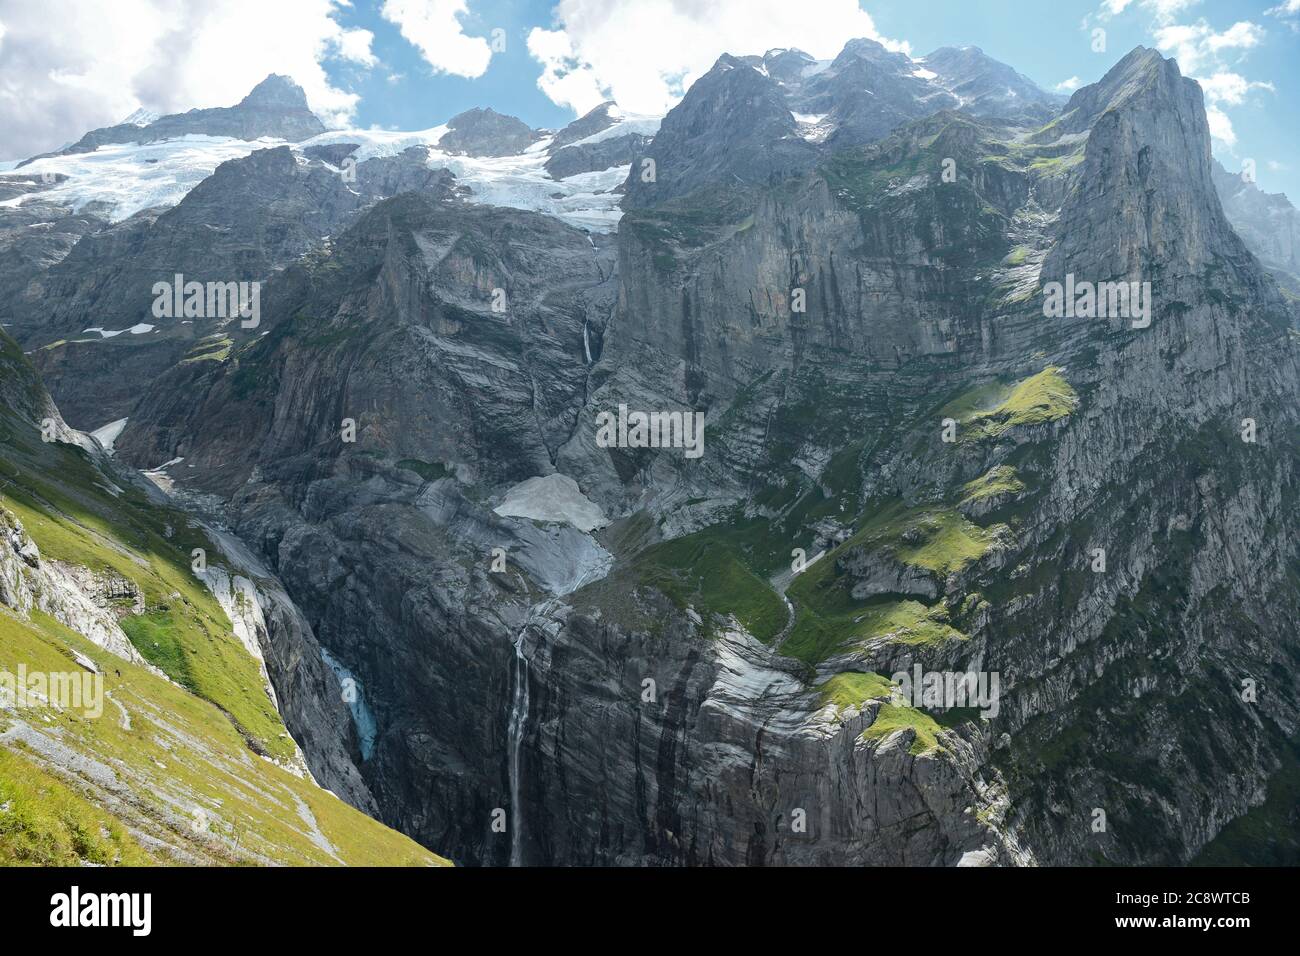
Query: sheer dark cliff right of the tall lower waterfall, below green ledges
x,y
733,763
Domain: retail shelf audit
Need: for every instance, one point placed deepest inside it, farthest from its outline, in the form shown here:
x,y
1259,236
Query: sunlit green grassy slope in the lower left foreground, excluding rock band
x,y
192,768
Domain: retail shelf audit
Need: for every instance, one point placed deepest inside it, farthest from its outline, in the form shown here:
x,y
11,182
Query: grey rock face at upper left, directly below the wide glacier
x,y
252,218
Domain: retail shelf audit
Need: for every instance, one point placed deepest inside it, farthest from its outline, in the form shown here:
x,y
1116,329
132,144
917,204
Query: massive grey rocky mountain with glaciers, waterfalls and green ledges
x,y
896,453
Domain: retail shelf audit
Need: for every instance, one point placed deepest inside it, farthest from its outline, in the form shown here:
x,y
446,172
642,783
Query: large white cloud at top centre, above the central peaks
x,y
644,54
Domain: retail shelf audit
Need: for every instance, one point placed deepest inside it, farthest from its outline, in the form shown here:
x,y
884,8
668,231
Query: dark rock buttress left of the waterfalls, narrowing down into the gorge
x,y
452,401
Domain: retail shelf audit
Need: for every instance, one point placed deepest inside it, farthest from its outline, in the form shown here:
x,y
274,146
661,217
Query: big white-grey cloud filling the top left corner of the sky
x,y
106,60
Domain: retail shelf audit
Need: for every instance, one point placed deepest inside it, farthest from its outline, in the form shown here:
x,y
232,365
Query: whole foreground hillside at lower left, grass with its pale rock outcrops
x,y
183,756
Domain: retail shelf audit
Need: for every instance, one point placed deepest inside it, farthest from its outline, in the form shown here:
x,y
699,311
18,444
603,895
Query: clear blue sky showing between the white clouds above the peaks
x,y
1050,41
